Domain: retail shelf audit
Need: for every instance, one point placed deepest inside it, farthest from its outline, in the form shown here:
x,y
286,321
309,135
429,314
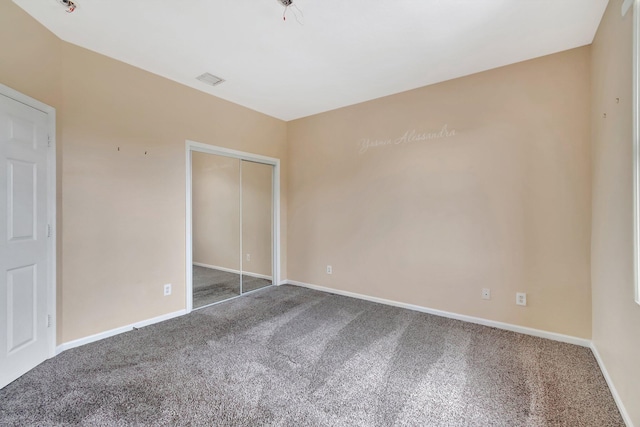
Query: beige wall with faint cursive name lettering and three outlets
x,y
502,202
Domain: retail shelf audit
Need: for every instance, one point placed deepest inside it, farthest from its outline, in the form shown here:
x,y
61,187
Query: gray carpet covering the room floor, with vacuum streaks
x,y
288,356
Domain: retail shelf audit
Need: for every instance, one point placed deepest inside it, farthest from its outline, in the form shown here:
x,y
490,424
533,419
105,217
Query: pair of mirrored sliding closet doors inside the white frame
x,y
232,223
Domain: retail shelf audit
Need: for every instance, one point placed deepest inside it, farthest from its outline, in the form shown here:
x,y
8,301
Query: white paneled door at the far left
x,y
24,275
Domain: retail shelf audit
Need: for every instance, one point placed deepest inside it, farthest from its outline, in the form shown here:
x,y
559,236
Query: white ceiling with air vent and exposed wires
x,y
342,52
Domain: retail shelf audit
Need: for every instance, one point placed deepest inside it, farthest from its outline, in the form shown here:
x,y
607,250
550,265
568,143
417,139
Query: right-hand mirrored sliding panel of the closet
x,y
257,225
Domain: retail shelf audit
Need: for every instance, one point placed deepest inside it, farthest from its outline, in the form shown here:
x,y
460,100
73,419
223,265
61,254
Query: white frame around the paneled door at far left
x,y
51,208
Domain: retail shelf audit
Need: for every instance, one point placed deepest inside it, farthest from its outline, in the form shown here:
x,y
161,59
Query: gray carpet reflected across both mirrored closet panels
x,y
211,285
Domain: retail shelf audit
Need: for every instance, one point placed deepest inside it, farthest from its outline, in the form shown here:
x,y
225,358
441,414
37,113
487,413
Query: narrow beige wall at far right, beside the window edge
x,y
616,317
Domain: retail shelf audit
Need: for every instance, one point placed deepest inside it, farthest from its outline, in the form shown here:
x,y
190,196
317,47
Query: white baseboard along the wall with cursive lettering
x,y
477,320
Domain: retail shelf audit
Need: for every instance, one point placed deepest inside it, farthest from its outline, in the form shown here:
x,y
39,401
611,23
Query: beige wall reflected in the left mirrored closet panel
x,y
216,210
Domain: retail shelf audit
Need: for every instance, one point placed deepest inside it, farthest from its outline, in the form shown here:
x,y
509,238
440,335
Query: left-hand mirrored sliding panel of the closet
x,y
216,228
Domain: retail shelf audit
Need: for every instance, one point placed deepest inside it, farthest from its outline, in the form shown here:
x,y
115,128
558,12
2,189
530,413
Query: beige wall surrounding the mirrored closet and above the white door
x,y
123,215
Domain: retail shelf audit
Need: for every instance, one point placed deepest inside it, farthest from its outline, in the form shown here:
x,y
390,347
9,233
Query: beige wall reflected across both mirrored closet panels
x,y
216,213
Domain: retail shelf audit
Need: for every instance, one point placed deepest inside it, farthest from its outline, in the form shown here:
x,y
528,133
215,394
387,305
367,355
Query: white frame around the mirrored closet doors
x,y
200,147
